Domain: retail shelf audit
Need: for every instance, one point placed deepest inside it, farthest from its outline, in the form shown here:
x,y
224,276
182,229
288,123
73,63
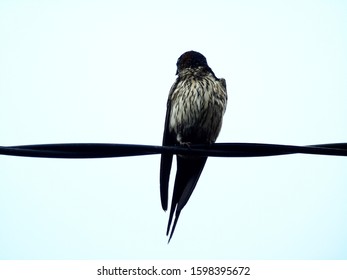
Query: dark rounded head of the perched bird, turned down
x,y
192,60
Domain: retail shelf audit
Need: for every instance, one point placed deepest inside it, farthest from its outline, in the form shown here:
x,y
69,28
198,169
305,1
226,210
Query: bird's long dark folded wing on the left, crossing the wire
x,y
166,159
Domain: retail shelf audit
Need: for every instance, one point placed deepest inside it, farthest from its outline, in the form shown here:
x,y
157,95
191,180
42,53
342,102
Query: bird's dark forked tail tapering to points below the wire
x,y
187,176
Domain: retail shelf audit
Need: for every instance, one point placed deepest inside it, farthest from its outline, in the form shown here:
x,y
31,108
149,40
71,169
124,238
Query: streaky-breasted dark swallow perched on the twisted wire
x,y
196,104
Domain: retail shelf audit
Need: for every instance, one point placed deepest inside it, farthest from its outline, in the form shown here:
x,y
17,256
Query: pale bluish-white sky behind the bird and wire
x,y
100,72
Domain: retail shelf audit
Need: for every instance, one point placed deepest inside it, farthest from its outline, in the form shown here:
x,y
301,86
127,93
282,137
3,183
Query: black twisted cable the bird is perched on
x,y
97,150
